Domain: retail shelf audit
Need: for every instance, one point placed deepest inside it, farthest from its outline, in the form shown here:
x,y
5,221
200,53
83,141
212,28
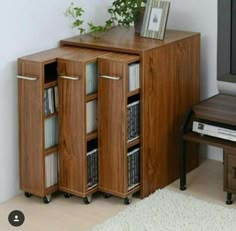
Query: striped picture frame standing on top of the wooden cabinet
x,y
155,19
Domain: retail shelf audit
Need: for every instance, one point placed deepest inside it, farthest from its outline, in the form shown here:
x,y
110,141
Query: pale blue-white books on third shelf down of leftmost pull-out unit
x,y
51,131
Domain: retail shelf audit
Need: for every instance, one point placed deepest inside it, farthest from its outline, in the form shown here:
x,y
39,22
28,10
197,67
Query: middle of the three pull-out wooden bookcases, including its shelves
x,y
78,122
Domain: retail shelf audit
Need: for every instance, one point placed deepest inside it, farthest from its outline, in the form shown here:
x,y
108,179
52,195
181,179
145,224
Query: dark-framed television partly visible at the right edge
x,y
226,47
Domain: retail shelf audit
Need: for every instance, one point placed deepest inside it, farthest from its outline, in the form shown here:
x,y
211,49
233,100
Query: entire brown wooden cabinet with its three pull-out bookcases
x,y
169,84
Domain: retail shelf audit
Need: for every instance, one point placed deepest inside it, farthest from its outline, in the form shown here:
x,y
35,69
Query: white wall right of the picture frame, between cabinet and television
x,y
200,16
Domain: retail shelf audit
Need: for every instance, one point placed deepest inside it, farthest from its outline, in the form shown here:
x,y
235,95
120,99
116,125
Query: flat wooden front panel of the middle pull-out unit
x,y
71,124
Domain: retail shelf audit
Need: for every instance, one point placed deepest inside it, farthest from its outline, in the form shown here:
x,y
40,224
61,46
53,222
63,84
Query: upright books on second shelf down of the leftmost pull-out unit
x,y
51,100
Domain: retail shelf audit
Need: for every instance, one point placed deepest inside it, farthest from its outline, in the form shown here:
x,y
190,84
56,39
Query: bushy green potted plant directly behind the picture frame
x,y
128,12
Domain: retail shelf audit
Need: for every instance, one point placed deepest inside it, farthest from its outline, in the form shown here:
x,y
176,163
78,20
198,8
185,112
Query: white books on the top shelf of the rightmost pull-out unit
x,y
134,76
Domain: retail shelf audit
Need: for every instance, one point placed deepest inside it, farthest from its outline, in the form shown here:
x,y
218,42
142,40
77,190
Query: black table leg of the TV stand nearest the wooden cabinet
x,y
183,166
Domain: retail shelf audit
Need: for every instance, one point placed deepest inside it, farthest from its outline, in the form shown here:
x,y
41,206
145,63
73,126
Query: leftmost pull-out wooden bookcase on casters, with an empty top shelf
x,y
38,140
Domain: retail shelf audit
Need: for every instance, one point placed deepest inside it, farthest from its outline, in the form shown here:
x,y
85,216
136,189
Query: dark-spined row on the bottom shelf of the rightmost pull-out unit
x,y
133,168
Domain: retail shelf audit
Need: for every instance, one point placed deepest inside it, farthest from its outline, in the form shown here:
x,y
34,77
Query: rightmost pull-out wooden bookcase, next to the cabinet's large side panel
x,y
113,125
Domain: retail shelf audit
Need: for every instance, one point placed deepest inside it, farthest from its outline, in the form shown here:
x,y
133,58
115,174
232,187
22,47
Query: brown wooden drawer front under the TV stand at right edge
x,y
230,170
